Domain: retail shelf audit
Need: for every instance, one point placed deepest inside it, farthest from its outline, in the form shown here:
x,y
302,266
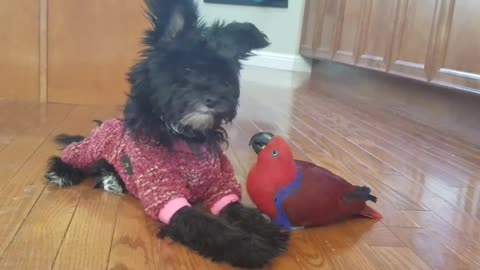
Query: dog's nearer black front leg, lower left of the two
x,y
218,240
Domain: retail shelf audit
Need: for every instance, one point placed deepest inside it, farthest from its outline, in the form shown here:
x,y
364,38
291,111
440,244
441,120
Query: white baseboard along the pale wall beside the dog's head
x,y
280,61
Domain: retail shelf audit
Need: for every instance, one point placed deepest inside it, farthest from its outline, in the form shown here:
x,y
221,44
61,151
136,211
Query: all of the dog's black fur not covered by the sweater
x,y
186,88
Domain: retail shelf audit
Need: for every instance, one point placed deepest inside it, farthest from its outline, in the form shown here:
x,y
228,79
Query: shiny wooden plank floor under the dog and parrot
x,y
427,182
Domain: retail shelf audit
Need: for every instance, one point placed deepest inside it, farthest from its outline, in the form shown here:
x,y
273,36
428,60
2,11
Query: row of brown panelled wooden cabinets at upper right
x,y
430,40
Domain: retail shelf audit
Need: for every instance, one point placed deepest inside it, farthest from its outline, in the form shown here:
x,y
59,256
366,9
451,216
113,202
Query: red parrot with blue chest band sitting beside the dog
x,y
296,193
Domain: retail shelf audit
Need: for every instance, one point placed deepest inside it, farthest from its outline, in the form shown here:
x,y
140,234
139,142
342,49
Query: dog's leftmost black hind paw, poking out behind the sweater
x,y
63,174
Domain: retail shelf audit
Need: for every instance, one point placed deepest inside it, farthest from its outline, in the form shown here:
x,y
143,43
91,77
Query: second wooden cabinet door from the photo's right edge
x,y
413,42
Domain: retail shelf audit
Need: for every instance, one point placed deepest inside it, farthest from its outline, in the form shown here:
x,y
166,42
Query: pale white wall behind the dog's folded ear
x,y
282,26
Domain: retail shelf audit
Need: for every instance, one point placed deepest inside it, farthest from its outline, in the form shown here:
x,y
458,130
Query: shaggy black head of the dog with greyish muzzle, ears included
x,y
187,83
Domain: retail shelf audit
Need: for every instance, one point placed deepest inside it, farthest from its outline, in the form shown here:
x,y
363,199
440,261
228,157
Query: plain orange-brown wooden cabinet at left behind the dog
x,y
69,51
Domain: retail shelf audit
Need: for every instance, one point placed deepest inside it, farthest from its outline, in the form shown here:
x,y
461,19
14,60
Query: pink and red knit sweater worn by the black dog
x,y
163,183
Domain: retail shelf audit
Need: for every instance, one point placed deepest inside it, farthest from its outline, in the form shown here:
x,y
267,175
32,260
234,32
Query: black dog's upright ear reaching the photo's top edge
x,y
170,18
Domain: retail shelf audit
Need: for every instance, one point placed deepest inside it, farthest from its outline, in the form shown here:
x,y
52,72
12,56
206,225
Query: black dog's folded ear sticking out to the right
x,y
237,40
